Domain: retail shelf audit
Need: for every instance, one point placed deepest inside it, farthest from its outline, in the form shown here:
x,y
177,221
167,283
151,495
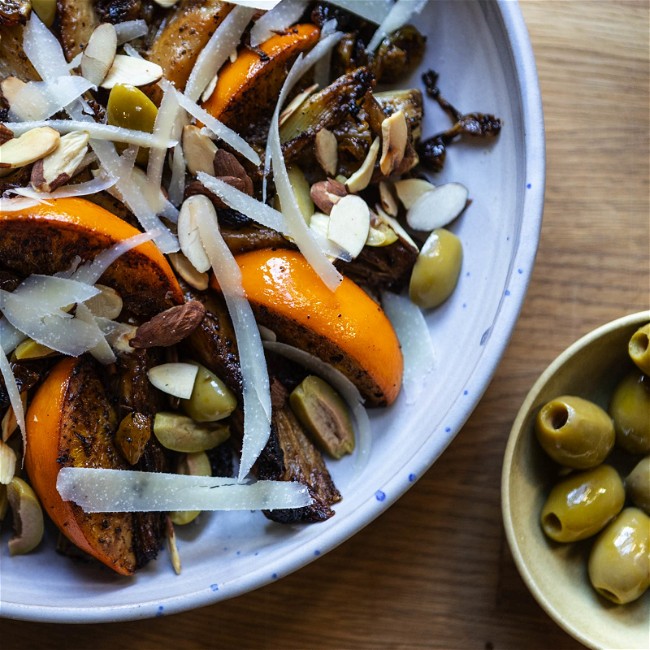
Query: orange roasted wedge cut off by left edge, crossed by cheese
x,y
48,238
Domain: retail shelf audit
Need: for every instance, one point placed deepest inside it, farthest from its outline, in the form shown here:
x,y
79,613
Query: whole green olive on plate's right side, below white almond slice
x,y
436,270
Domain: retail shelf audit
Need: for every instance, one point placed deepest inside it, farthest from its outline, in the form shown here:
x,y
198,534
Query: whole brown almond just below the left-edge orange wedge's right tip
x,y
170,326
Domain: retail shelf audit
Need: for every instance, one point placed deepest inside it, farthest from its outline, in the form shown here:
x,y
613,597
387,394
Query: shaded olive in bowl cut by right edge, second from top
x,y
630,408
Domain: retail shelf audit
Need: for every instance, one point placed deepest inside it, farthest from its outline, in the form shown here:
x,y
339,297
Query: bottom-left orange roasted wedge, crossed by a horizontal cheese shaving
x,y
70,422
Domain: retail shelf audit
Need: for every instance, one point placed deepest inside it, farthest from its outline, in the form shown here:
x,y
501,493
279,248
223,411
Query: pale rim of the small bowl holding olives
x,y
517,430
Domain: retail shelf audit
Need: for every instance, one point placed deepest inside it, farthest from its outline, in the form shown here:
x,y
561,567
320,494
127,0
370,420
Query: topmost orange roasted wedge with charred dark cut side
x,y
247,89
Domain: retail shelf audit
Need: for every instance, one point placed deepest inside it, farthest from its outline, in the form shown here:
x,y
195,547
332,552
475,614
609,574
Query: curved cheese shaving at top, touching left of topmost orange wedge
x,y
225,39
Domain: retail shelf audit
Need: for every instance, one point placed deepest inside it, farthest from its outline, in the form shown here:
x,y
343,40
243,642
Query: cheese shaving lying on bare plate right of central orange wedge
x,y
414,337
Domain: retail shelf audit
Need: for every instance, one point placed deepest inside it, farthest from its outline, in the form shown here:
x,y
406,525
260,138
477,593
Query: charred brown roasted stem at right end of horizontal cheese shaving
x,y
291,456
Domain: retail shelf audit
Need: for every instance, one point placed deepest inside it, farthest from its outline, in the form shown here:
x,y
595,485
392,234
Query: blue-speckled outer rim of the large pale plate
x,y
494,343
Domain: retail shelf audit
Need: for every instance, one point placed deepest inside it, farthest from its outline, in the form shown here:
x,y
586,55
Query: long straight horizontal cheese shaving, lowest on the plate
x,y
115,490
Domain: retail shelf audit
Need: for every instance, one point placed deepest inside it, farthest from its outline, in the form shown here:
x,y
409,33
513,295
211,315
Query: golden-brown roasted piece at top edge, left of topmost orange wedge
x,y
182,37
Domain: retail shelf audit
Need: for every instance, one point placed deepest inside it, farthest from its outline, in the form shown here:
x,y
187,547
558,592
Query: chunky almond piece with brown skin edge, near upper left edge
x,y
60,166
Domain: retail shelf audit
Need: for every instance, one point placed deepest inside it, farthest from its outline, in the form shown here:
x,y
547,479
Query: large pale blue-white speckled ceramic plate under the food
x,y
483,55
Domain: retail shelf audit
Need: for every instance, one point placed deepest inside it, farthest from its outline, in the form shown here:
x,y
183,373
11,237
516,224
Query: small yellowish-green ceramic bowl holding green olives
x,y
556,574
